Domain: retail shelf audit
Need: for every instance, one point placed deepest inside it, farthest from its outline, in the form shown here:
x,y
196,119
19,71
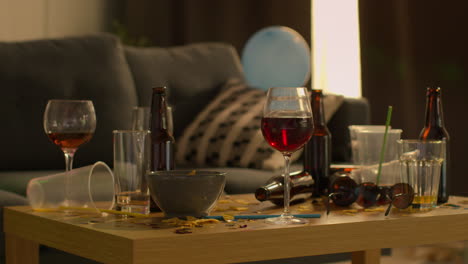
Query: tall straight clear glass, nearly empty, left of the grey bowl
x,y
131,156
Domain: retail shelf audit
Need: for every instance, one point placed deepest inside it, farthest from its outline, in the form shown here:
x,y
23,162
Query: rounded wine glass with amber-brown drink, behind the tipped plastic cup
x,y
69,124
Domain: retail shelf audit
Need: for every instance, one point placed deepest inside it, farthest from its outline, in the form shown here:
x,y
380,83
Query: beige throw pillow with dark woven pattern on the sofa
x,y
227,133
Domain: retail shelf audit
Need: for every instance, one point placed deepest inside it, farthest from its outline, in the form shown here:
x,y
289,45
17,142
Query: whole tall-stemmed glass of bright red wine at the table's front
x,y
287,126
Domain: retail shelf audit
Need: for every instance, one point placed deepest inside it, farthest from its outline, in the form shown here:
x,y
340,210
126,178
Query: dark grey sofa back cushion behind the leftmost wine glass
x,y
32,72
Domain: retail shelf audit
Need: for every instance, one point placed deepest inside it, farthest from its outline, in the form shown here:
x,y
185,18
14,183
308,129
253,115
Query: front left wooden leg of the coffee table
x,y
21,251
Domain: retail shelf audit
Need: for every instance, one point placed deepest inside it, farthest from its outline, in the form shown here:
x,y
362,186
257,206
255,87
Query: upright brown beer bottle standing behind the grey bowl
x,y
162,142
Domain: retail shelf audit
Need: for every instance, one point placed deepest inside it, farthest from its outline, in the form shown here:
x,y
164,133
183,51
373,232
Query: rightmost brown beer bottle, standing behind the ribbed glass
x,y
434,129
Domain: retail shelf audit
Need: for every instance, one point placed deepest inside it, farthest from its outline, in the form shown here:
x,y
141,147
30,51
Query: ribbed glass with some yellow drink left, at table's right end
x,y
420,167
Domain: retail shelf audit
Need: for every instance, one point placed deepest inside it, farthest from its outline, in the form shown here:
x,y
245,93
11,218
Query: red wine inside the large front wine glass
x,y
287,134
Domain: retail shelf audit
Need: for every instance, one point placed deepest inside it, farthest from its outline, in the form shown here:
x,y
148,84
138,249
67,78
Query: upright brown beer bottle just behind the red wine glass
x,y
317,152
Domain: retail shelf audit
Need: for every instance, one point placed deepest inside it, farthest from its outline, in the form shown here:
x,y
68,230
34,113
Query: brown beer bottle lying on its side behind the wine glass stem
x,y
301,189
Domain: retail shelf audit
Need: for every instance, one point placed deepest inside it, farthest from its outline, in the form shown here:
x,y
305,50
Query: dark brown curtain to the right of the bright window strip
x,y
407,46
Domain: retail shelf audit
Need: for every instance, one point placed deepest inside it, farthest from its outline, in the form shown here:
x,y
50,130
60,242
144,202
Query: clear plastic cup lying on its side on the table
x,y
88,187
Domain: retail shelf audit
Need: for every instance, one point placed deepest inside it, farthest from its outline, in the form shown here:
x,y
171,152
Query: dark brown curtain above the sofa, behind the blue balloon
x,y
177,22
